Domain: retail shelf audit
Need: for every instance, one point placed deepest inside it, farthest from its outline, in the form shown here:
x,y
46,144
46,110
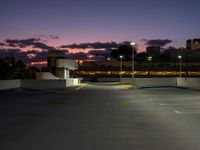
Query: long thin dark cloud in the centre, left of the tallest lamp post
x,y
96,45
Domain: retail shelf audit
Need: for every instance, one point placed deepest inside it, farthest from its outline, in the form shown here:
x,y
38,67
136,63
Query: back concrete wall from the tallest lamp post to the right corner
x,y
151,82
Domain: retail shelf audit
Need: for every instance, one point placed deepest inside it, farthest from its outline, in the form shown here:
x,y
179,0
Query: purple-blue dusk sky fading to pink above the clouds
x,y
63,22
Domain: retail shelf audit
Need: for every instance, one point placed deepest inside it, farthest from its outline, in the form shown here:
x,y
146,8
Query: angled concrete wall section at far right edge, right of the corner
x,y
191,83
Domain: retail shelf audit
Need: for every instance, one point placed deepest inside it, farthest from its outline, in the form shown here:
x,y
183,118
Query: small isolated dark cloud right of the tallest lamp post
x,y
157,42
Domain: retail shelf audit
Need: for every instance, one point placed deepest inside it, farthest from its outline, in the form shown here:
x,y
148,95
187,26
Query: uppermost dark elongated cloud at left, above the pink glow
x,y
35,42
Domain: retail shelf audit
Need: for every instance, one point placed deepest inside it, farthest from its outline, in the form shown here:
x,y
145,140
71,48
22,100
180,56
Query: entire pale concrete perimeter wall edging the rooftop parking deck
x,y
192,83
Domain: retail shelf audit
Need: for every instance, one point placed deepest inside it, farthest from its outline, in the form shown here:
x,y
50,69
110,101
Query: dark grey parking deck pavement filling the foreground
x,y
103,116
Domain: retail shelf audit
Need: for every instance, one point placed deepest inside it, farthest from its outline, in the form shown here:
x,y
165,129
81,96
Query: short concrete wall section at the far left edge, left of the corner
x,y
9,84
